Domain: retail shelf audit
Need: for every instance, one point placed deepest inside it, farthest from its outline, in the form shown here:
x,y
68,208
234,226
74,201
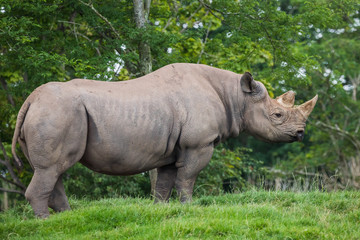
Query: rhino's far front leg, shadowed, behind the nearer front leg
x,y
165,183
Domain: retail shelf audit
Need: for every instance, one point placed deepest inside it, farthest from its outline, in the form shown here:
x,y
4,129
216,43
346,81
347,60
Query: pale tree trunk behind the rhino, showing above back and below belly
x,y
141,16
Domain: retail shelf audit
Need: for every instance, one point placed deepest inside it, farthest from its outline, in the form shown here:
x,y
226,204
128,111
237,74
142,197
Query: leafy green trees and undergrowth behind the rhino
x,y
311,47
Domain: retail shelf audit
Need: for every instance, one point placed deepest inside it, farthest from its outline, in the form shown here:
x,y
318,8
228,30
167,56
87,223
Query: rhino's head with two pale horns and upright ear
x,y
273,120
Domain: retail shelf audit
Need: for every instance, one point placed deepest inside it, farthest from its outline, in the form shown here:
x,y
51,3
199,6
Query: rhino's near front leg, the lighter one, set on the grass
x,y
189,164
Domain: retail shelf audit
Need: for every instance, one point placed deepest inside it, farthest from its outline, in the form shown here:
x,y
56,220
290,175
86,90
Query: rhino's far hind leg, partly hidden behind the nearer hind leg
x,y
58,200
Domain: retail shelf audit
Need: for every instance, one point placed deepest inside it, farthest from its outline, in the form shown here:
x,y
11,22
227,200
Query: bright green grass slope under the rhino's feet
x,y
249,215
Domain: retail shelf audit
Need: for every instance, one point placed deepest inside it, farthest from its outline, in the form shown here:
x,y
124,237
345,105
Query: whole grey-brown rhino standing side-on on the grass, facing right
x,y
170,119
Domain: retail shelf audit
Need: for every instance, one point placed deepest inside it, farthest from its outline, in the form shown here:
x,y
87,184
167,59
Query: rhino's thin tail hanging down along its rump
x,y
17,132
